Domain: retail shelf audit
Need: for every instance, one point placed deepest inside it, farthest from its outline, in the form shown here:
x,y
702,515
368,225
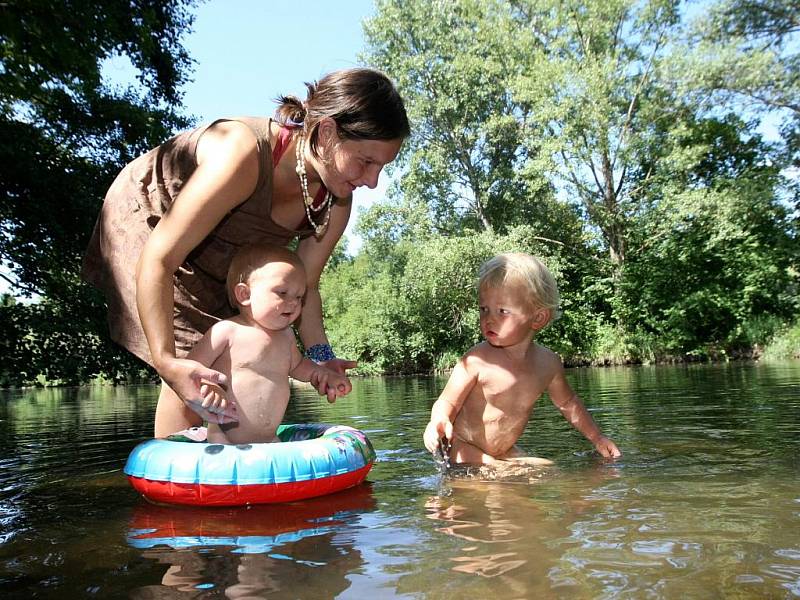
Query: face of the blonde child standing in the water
x,y
506,317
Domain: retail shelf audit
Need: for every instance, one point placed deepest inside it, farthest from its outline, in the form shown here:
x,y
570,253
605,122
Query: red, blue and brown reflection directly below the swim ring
x,y
256,551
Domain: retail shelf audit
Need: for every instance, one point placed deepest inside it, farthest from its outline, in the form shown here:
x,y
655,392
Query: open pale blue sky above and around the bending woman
x,y
249,51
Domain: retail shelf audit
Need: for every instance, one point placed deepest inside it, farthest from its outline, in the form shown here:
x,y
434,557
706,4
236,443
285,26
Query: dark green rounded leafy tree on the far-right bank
x,y
718,222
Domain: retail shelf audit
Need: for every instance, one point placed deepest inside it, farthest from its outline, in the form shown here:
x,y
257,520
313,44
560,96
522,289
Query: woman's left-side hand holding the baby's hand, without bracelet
x,y
201,389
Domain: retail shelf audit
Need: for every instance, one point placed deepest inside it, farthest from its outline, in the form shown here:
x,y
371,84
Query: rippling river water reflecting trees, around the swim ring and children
x,y
705,502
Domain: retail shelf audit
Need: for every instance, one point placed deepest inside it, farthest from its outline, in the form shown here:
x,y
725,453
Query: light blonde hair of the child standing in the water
x,y
525,272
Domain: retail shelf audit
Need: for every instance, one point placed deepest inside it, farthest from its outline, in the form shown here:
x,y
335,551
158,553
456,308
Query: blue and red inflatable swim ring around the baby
x,y
311,460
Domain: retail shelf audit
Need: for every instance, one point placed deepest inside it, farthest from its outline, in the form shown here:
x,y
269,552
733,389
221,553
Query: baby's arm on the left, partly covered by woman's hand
x,y
214,407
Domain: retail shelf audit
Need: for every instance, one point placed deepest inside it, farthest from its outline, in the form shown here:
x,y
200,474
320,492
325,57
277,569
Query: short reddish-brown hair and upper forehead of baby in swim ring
x,y
261,260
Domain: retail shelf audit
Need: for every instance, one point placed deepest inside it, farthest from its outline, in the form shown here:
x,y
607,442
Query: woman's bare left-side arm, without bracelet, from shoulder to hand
x,y
226,175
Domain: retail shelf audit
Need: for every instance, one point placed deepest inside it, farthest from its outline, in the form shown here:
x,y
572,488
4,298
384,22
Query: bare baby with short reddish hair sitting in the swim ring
x,y
257,350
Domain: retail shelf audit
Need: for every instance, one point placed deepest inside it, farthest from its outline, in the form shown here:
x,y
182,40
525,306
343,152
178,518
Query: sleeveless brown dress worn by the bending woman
x,y
136,201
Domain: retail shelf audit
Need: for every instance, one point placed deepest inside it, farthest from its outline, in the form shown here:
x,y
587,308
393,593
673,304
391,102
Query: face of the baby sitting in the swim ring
x,y
276,294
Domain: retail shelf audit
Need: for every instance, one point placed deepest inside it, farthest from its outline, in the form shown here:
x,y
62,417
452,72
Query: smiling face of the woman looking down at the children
x,y
350,164
